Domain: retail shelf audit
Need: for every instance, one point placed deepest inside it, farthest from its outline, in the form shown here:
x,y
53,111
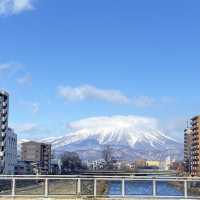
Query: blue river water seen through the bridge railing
x,y
144,188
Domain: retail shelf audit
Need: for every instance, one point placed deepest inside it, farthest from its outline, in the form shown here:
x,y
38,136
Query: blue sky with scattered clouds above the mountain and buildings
x,y
68,60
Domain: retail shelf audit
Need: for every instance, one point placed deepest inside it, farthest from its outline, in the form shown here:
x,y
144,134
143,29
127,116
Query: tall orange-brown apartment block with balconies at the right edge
x,y
195,154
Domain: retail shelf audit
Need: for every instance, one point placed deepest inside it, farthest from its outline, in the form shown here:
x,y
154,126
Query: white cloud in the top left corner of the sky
x,y
12,7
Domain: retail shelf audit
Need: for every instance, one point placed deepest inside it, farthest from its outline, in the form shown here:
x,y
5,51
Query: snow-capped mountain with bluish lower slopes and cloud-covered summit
x,y
130,136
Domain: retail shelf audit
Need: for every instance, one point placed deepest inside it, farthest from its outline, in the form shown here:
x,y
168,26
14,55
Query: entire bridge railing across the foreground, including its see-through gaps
x,y
100,186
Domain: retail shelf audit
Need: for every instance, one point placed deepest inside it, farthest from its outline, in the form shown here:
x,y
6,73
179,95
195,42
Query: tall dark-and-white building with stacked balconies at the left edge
x,y
4,105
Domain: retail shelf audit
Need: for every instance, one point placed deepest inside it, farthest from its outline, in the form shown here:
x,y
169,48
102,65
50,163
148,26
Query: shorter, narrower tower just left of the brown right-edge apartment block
x,y
187,149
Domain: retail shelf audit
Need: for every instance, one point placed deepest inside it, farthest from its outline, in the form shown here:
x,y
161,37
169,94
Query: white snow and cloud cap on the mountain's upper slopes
x,y
115,130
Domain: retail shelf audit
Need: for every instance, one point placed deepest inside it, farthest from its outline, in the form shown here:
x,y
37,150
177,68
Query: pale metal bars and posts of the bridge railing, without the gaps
x,y
79,179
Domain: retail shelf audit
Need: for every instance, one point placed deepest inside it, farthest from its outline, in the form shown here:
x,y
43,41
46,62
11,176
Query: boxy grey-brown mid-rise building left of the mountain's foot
x,y
39,154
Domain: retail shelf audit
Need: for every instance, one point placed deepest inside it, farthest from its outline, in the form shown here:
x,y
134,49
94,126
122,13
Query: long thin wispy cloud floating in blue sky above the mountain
x,y
88,92
